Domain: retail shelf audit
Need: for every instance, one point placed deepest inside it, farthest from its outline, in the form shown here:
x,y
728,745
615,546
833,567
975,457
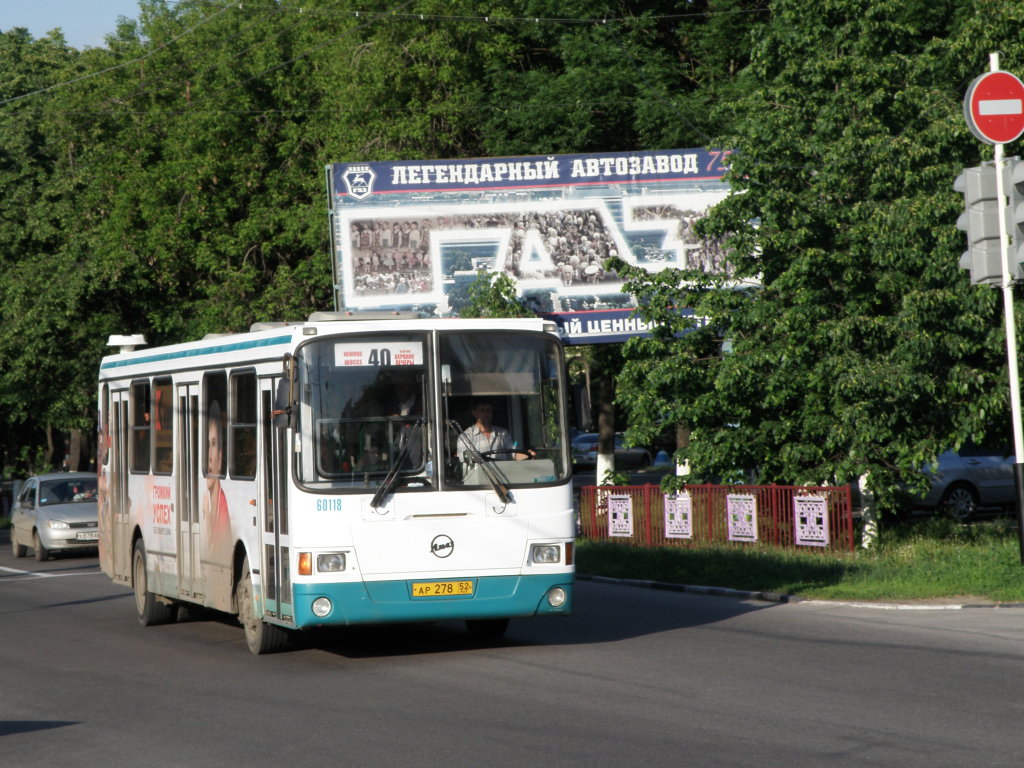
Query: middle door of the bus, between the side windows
x,y
189,483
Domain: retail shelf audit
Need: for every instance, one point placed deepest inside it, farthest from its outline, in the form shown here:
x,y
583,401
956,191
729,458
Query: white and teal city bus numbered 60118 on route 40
x,y
324,474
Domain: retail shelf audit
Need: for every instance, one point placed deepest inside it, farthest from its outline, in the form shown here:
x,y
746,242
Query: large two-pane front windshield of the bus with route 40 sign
x,y
383,406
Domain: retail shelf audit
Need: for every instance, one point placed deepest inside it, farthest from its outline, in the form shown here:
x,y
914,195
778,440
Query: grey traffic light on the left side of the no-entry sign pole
x,y
980,221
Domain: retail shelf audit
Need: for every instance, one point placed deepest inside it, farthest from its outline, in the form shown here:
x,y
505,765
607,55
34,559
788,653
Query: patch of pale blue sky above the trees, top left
x,y
84,23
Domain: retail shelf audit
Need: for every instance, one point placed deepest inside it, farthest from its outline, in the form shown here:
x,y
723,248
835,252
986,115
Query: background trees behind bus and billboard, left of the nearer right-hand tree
x,y
170,183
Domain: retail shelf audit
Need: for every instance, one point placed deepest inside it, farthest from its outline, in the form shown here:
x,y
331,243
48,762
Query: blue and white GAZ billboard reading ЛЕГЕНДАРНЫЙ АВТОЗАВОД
x,y
415,235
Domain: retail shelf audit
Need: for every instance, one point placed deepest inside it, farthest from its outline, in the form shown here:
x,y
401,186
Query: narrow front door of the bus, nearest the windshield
x,y
277,583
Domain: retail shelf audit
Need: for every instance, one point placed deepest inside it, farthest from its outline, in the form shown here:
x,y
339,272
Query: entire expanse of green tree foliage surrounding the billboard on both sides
x,y
170,183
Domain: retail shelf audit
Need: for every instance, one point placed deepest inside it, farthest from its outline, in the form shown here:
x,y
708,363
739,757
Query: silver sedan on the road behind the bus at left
x,y
56,513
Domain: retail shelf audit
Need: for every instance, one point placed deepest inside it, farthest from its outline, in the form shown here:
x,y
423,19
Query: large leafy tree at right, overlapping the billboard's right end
x,y
866,351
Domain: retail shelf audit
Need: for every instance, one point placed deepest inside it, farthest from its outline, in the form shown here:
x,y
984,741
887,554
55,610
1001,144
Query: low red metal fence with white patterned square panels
x,y
797,517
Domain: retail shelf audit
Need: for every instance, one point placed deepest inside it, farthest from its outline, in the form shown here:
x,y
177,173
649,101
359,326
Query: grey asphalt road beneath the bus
x,y
636,678
